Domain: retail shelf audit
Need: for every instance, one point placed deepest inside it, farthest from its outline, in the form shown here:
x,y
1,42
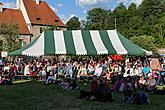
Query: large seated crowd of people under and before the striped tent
x,y
131,76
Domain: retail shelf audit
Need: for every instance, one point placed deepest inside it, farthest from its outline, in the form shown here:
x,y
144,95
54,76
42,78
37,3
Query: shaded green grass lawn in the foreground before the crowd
x,y
33,95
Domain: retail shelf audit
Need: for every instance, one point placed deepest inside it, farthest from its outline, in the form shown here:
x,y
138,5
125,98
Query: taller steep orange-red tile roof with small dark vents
x,y
41,14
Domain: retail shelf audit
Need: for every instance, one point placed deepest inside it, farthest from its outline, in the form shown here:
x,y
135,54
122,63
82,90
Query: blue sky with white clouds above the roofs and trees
x,y
66,9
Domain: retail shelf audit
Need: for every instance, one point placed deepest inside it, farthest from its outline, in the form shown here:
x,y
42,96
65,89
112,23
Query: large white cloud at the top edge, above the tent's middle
x,y
88,4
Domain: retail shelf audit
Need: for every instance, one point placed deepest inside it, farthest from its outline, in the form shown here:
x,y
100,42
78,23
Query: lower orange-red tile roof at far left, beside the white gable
x,y
14,17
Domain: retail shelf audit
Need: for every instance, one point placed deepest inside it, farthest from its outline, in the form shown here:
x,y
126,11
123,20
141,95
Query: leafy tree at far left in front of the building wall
x,y
10,33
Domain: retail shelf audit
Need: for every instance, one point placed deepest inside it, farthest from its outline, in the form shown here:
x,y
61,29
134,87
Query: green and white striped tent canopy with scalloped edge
x,y
80,42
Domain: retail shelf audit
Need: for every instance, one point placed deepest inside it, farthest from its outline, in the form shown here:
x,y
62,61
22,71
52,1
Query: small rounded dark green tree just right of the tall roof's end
x,y
74,23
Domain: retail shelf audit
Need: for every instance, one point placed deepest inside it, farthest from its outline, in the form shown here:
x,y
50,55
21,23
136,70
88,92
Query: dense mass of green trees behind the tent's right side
x,y
145,22
